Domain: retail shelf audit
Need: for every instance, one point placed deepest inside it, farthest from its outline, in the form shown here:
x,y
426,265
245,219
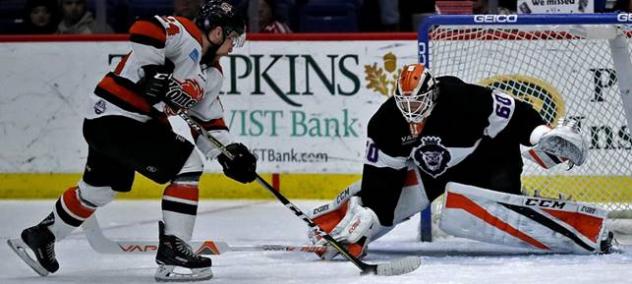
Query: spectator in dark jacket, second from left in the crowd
x,y
76,19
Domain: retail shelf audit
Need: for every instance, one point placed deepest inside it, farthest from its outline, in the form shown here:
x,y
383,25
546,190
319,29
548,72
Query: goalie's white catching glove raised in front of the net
x,y
560,144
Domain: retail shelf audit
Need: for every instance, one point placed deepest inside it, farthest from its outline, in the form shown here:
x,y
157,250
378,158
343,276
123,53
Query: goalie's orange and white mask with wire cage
x,y
416,92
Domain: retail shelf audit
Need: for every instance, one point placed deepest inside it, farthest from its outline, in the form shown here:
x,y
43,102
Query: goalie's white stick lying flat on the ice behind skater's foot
x,y
101,244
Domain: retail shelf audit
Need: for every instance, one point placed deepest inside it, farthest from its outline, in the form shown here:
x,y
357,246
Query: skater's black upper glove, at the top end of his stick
x,y
155,83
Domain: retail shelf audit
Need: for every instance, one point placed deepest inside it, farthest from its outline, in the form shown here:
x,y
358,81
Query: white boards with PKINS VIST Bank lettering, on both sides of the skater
x,y
302,106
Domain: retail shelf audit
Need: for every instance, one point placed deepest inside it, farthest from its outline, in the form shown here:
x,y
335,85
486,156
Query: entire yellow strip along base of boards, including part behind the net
x,y
294,186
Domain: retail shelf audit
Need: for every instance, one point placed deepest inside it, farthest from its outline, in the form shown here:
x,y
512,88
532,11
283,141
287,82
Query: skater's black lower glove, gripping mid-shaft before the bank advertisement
x,y
242,167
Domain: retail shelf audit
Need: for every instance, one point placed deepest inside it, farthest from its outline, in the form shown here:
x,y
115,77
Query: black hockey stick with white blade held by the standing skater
x,y
397,267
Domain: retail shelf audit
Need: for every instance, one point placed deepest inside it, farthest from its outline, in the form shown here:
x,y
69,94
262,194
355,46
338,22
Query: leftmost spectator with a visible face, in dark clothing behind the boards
x,y
40,17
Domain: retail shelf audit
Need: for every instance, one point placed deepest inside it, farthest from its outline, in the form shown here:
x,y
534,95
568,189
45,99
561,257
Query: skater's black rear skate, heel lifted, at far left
x,y
40,242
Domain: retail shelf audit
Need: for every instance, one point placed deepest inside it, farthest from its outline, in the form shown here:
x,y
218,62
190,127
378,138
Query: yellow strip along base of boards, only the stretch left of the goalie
x,y
305,186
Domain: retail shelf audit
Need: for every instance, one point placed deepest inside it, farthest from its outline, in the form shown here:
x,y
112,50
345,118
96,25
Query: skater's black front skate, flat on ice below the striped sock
x,y
175,255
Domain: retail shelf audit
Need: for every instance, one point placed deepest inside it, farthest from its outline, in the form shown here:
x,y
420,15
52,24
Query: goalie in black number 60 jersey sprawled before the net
x,y
442,135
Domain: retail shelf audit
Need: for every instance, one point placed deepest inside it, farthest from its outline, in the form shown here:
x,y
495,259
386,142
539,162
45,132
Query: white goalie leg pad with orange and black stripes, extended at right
x,y
553,225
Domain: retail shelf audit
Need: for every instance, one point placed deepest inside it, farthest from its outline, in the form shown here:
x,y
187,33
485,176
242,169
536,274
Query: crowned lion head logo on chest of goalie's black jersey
x,y
431,156
